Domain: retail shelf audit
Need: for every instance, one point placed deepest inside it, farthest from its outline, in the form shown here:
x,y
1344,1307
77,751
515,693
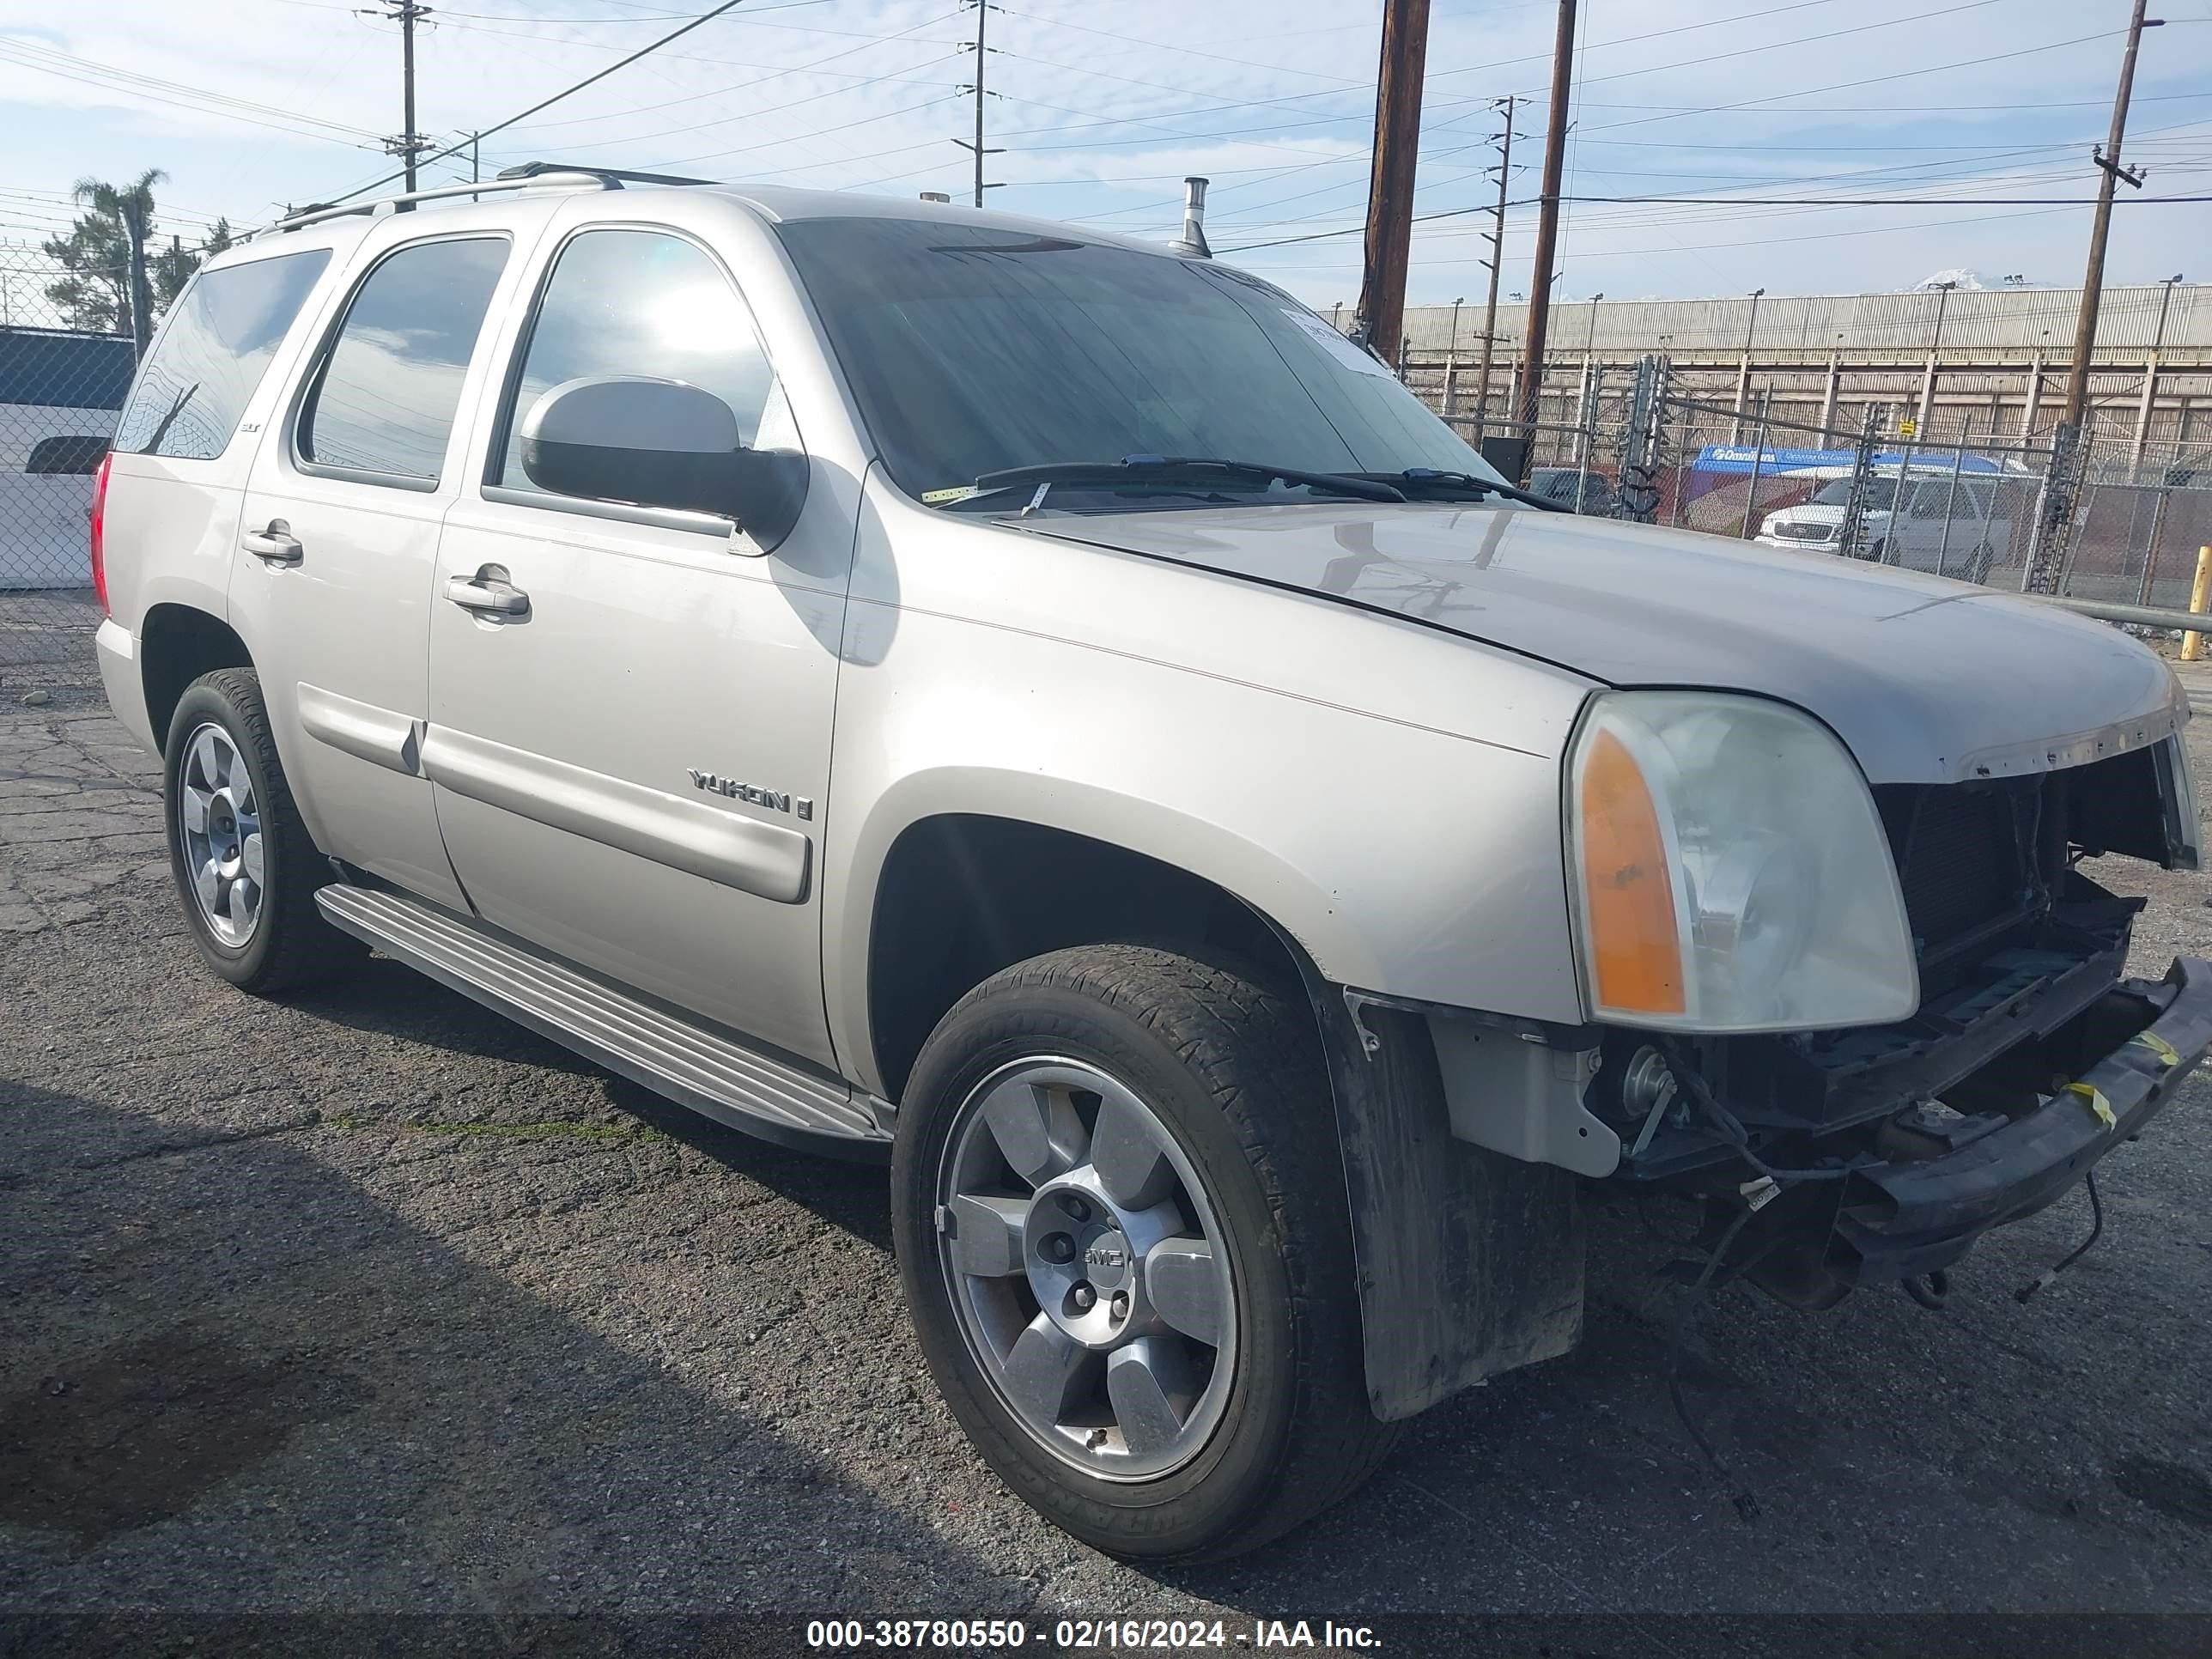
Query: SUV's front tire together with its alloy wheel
x,y
1273,1423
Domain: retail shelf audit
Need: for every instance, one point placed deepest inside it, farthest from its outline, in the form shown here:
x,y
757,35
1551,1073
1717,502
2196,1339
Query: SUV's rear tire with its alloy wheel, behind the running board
x,y
236,831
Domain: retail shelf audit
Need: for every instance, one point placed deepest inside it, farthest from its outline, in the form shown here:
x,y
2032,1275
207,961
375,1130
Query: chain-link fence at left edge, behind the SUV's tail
x,y
61,393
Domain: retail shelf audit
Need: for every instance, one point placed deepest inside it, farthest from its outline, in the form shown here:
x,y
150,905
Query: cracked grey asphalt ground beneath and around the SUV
x,y
379,1304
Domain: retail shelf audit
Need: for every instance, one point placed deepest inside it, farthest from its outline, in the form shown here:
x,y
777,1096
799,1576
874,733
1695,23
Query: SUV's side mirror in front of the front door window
x,y
658,444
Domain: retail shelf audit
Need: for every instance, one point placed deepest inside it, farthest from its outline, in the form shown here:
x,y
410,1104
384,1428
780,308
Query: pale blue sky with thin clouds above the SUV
x,y
1105,107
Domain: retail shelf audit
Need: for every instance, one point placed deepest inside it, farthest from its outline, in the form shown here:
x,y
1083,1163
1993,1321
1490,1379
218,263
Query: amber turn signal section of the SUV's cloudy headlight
x,y
1636,943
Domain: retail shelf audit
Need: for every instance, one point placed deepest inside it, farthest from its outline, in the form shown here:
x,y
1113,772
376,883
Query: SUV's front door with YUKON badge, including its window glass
x,y
632,709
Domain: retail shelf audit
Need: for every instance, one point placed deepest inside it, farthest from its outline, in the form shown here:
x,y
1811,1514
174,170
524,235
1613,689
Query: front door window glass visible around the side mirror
x,y
640,304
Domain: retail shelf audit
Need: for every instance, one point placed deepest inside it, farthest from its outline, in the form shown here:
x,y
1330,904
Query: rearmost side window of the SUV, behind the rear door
x,y
213,353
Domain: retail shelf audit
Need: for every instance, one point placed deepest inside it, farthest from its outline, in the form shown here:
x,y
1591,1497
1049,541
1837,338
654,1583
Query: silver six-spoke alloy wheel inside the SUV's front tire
x,y
1087,1269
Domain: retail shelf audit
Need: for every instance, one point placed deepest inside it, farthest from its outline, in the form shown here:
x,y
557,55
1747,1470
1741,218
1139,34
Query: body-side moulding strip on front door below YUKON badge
x,y
669,831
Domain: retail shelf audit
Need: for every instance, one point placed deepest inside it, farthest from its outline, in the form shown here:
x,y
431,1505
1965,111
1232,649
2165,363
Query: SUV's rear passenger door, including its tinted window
x,y
340,536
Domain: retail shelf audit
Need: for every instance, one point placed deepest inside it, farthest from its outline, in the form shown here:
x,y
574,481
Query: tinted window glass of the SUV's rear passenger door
x,y
386,395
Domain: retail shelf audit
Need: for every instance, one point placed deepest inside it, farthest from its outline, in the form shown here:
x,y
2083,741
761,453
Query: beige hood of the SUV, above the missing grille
x,y
1926,680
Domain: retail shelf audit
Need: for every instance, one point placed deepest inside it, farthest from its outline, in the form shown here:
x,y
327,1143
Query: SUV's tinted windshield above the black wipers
x,y
981,348
